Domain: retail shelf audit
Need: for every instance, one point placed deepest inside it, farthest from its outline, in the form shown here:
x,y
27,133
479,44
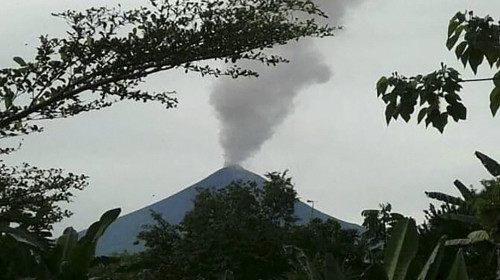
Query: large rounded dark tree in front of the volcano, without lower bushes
x,y
229,229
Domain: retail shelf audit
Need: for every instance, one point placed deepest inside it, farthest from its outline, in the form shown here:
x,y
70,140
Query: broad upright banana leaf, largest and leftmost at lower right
x,y
401,249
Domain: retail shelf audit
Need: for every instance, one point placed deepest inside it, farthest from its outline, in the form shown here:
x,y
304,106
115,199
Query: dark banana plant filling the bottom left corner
x,y
68,258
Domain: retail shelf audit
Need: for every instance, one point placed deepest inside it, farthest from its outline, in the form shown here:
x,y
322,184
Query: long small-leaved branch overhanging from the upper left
x,y
108,52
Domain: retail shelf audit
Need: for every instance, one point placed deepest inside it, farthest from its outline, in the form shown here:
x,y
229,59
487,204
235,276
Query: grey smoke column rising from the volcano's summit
x,y
250,109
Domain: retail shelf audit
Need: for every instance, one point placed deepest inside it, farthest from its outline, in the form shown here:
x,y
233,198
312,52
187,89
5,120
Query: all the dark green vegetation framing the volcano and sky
x,y
241,231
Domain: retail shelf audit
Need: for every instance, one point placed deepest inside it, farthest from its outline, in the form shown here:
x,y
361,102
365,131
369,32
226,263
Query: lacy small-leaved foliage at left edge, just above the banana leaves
x,y
32,197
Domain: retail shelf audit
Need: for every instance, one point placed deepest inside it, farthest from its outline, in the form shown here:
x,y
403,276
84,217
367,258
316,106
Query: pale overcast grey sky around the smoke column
x,y
333,137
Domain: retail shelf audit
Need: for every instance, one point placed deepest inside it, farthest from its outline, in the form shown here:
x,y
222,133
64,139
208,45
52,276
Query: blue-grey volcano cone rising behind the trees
x,y
121,235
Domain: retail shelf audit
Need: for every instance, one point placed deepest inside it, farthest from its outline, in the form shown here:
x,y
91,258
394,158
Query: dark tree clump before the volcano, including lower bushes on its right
x,y
242,230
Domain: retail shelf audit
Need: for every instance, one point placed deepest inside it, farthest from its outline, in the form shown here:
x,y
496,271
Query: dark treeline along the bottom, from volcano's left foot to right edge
x,y
240,232
